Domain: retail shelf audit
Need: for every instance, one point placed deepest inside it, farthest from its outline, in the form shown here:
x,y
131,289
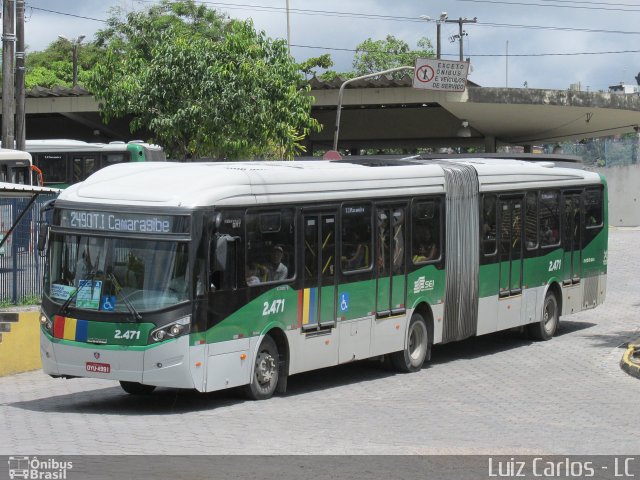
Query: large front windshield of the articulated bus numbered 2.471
x,y
115,274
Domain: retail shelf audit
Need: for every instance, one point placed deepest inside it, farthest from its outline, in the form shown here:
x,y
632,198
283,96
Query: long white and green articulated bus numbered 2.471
x,y
216,275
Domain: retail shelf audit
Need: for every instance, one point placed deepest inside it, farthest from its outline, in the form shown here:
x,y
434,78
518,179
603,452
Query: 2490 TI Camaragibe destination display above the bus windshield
x,y
123,222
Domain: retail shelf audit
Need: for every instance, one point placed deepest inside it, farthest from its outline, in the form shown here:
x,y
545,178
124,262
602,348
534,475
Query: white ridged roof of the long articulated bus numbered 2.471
x,y
192,185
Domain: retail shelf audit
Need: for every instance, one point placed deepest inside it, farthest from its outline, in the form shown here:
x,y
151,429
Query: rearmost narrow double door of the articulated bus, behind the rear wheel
x,y
571,231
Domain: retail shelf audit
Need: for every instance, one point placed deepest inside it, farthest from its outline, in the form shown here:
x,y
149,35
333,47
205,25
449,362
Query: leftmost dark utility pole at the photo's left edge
x,y
8,90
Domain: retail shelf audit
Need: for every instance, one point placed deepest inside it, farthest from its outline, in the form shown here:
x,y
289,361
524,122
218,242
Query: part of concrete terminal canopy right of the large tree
x,y
390,113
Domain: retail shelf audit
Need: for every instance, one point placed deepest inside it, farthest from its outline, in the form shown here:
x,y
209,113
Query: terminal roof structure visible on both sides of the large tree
x,y
389,113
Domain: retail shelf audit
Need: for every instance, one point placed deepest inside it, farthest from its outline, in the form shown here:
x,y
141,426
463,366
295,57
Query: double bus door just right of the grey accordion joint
x,y
510,242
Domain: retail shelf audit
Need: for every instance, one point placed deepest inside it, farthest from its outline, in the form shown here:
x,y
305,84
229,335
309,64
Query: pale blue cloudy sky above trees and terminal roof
x,y
550,43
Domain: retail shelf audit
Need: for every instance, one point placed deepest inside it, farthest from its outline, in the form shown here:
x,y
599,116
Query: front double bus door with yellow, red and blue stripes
x,y
319,276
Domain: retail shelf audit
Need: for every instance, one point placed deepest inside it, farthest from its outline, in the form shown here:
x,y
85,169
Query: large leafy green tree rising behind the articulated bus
x,y
202,84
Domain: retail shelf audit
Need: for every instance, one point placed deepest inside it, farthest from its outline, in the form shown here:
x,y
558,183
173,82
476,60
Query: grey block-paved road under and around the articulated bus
x,y
499,394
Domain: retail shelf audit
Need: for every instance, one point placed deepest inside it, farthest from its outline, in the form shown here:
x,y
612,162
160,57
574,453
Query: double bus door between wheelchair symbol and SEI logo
x,y
390,260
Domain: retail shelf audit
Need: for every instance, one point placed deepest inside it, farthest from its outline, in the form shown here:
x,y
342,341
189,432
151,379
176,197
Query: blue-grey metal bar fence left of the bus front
x,y
21,267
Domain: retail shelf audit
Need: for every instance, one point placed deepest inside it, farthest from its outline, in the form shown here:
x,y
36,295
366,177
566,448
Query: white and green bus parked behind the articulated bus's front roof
x,y
64,162
